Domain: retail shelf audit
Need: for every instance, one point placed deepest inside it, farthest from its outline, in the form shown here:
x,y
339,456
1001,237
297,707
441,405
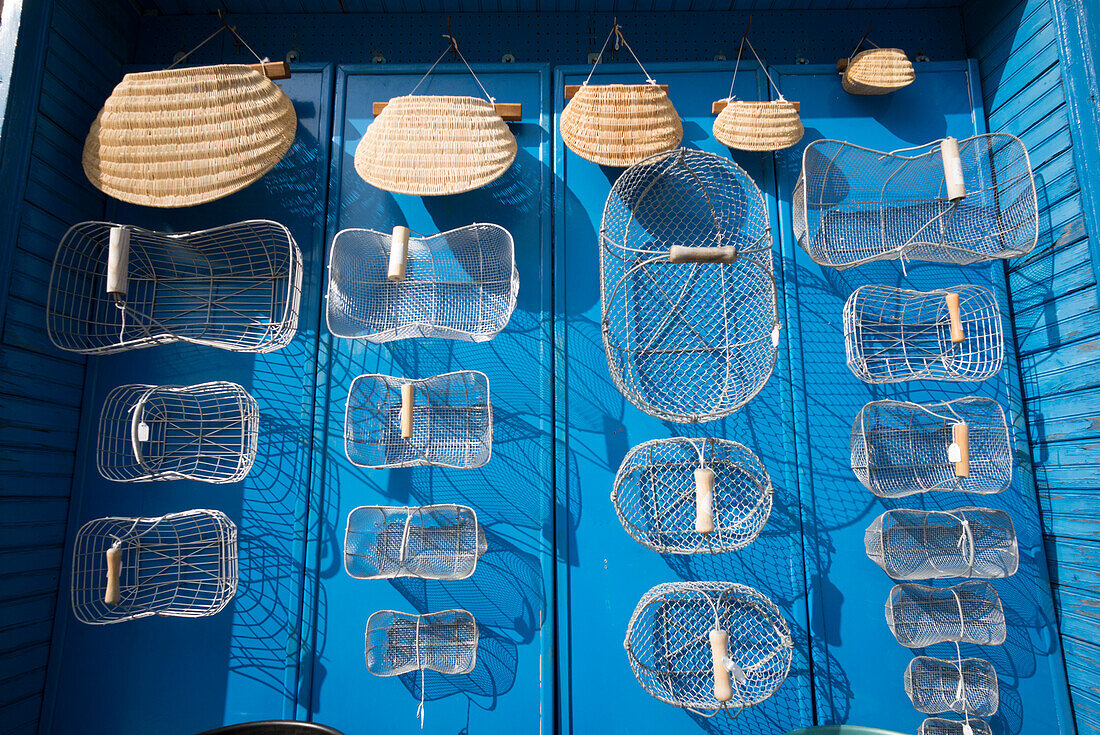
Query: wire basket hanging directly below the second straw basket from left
x,y
460,284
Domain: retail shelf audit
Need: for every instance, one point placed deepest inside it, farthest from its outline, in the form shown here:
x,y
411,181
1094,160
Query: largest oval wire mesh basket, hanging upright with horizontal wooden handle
x,y
690,324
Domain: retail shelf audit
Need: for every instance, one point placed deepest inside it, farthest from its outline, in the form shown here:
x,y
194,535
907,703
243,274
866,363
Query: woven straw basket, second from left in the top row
x,y
434,146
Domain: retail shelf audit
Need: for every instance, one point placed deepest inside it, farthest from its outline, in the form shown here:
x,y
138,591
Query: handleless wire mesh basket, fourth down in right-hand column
x,y
920,545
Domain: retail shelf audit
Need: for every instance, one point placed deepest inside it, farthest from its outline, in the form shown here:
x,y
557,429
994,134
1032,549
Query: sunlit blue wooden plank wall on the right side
x,y
1055,301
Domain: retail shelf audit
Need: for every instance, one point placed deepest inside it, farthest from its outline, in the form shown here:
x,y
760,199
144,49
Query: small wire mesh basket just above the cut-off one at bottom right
x,y
967,686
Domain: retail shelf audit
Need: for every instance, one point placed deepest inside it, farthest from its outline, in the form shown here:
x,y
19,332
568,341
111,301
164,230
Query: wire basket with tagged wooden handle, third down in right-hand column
x,y
901,448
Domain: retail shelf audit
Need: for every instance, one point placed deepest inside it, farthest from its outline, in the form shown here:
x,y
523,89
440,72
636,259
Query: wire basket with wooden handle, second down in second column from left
x,y
444,421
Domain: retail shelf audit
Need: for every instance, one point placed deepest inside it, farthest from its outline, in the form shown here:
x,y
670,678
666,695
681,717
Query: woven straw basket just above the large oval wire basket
x,y
621,125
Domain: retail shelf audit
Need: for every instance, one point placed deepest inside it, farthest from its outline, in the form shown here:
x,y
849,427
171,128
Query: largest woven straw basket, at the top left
x,y
185,137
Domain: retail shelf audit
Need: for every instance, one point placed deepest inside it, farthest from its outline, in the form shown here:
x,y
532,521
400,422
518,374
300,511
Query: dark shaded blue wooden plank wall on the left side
x,y
40,386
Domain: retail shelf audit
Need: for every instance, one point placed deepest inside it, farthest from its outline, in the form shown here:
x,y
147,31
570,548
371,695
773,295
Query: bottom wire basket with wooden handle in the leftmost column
x,y
183,565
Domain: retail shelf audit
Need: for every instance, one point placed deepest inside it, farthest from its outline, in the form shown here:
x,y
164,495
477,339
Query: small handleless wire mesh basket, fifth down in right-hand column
x,y
970,612
